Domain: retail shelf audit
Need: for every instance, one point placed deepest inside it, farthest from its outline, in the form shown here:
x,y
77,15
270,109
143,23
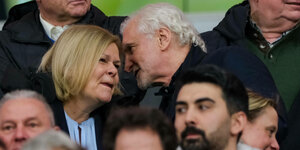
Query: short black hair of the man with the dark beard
x,y
233,90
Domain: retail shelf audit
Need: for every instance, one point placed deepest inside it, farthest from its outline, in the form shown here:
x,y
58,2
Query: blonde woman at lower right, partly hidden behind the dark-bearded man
x,y
261,128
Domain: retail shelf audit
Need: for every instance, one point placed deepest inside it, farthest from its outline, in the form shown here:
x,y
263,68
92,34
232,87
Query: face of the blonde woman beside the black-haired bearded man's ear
x,y
261,132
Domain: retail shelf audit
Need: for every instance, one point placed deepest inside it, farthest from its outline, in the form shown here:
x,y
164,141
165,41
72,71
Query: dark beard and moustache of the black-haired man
x,y
194,144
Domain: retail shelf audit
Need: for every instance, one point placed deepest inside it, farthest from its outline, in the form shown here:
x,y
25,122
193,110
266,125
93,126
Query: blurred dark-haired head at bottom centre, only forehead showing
x,y
138,128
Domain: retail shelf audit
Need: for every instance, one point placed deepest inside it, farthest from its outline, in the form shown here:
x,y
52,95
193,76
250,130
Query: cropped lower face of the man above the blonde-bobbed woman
x,y
69,8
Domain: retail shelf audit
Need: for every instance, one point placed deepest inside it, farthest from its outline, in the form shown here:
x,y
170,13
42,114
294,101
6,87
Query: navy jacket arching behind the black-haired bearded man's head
x,y
251,71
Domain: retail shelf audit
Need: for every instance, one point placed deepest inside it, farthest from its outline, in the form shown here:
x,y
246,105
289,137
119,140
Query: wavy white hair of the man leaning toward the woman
x,y
154,16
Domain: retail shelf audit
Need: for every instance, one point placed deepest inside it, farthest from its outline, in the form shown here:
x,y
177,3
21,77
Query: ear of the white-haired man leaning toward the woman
x,y
164,36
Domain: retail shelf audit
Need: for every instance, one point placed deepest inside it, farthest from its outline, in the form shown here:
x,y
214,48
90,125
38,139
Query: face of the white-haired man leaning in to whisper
x,y
142,54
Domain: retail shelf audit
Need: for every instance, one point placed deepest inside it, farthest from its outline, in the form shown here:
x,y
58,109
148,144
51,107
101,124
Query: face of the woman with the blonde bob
x,y
104,78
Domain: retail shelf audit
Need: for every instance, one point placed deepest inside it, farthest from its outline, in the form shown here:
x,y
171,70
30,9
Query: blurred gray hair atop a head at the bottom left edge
x,y
49,140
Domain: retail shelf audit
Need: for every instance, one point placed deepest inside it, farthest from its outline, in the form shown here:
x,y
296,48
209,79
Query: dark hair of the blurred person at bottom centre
x,y
132,118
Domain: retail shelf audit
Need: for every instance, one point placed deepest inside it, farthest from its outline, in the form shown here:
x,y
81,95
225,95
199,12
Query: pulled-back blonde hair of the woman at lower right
x,y
257,104
